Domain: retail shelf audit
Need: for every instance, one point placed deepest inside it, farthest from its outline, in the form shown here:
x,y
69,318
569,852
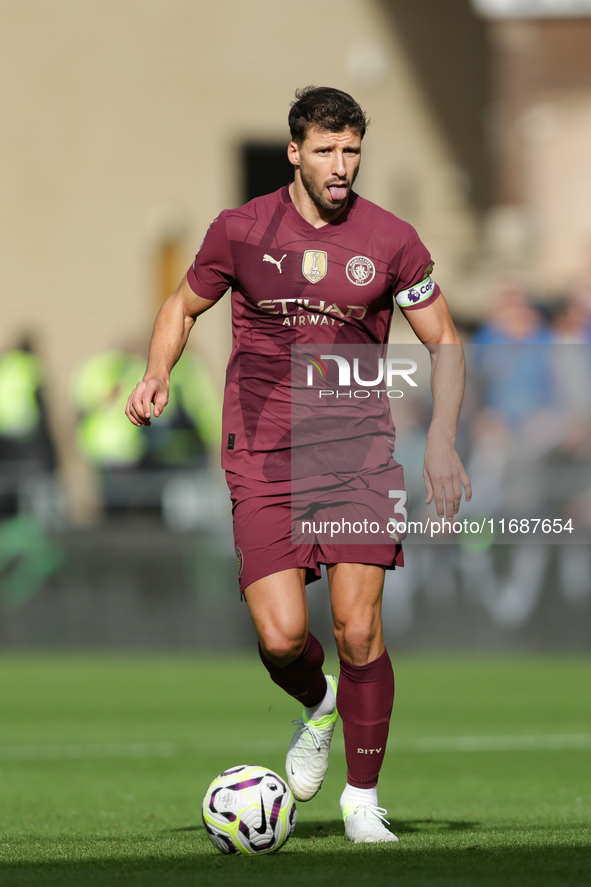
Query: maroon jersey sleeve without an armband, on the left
x,y
212,272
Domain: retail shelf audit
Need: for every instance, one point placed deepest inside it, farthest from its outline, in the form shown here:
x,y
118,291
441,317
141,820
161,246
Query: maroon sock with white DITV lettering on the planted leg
x,y
364,700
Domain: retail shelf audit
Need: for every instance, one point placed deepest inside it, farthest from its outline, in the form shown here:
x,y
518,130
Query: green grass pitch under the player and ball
x,y
105,759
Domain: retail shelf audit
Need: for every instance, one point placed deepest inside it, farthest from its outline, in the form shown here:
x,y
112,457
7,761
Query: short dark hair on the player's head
x,y
326,108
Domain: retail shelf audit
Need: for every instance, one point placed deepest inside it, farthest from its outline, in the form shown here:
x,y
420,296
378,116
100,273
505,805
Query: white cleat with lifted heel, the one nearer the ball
x,y
307,756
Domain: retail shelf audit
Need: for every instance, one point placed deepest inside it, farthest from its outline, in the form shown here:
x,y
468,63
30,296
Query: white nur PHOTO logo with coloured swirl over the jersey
x,y
389,371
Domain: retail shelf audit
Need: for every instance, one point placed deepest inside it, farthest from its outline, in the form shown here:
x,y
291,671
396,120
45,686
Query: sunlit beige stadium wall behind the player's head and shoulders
x,y
122,129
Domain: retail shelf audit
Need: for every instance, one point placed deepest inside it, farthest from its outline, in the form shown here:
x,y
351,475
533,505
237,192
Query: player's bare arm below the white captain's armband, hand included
x,y
443,470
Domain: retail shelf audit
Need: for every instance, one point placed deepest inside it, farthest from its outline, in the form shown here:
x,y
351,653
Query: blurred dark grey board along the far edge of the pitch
x,y
138,586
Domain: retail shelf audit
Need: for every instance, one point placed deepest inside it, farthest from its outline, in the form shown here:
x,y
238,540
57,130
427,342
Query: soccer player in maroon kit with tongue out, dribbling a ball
x,y
314,263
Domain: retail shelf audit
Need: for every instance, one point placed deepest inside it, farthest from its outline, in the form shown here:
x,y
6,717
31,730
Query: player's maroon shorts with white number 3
x,y
282,525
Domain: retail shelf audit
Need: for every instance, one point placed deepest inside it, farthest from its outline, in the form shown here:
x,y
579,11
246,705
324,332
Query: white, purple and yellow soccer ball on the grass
x,y
248,810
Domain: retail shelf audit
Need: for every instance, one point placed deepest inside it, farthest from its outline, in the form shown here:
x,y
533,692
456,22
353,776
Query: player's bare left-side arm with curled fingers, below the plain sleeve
x,y
171,331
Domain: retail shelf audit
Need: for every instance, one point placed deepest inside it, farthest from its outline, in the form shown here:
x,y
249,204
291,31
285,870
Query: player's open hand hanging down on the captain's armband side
x,y
444,476
